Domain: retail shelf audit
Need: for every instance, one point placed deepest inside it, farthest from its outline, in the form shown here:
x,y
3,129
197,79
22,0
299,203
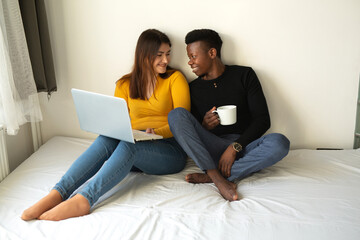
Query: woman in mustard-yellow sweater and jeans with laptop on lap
x,y
151,90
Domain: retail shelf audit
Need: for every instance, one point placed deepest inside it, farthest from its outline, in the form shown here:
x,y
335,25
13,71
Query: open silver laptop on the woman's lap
x,y
106,115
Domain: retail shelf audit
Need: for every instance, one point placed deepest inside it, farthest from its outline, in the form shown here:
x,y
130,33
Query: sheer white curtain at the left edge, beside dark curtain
x,y
19,101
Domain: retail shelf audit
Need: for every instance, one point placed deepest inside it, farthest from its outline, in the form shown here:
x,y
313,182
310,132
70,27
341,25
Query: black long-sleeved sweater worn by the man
x,y
238,86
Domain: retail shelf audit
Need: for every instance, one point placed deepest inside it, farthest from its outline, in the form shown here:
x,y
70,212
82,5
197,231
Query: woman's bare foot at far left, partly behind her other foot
x,y
44,204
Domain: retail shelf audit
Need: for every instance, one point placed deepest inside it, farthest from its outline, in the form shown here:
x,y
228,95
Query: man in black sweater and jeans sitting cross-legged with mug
x,y
232,152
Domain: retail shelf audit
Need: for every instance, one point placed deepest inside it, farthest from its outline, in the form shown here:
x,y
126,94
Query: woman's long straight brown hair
x,y
146,51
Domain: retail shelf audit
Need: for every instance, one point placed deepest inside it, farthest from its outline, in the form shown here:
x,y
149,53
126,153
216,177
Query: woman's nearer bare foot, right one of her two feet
x,y
74,207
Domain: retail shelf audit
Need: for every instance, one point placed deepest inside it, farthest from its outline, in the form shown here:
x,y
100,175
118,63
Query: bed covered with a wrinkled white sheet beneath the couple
x,y
310,194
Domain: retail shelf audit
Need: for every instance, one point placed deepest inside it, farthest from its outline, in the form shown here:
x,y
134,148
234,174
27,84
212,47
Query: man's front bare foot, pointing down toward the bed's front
x,y
227,189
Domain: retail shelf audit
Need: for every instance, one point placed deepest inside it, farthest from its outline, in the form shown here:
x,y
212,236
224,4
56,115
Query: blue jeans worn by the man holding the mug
x,y
205,148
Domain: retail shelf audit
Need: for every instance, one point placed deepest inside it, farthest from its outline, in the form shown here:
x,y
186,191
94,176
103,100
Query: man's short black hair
x,y
210,37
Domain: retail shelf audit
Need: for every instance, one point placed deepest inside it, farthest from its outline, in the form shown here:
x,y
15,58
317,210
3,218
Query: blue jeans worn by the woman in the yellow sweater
x,y
110,160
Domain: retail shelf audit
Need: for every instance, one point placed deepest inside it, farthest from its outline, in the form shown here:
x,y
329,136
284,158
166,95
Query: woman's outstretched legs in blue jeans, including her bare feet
x,y
158,157
